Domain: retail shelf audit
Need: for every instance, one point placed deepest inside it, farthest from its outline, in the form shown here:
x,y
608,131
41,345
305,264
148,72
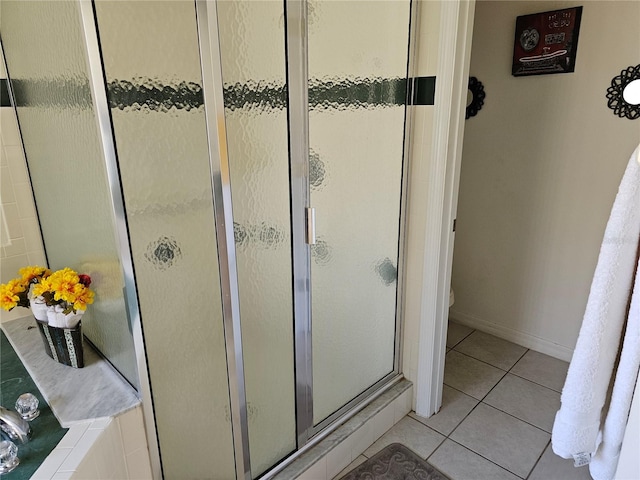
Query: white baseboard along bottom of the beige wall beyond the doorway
x,y
516,336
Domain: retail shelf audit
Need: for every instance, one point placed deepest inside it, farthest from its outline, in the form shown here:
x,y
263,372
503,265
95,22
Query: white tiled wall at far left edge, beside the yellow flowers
x,y
25,241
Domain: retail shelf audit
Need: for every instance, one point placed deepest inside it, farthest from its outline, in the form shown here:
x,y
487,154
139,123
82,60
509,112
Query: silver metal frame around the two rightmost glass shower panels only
x,y
296,43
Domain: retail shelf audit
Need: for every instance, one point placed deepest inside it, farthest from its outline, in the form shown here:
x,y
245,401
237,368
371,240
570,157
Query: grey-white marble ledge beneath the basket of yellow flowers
x,y
74,394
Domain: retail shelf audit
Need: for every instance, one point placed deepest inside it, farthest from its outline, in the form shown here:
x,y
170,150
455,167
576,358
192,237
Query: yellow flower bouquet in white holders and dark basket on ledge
x,y
57,300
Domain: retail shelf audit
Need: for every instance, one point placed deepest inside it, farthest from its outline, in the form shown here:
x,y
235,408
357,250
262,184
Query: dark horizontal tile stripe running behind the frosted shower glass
x,y
154,95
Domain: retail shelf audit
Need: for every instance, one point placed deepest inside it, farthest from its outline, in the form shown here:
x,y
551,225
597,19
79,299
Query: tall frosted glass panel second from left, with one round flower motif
x,y
152,65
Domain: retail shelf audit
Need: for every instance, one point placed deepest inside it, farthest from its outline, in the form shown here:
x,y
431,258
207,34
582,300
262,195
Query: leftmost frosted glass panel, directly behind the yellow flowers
x,y
46,59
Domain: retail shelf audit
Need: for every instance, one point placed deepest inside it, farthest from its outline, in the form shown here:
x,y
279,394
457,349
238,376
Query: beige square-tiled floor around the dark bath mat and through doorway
x,y
499,402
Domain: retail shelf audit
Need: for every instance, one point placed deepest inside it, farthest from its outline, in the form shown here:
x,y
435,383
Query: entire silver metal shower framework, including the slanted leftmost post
x,y
308,434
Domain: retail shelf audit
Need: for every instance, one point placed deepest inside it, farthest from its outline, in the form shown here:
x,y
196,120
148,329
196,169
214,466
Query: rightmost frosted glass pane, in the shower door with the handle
x,y
357,78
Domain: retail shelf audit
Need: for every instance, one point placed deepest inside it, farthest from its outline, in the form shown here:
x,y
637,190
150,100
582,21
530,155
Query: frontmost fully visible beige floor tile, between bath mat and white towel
x,y
501,438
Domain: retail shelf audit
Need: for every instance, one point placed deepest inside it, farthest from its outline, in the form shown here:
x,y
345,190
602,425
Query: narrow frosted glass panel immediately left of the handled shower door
x,y
252,48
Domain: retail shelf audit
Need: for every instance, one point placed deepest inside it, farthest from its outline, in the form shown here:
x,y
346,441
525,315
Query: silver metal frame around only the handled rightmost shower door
x,y
296,30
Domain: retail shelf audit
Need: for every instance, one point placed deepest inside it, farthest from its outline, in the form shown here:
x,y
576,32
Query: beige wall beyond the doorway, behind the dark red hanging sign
x,y
541,165
